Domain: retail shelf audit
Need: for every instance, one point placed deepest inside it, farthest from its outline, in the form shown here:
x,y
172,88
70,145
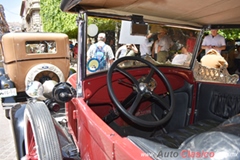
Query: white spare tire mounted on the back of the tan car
x,y
33,72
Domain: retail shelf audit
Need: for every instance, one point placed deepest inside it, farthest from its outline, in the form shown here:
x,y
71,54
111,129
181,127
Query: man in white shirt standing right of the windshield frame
x,y
214,41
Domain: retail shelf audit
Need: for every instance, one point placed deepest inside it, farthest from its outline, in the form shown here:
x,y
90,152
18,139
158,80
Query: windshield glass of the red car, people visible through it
x,y
109,40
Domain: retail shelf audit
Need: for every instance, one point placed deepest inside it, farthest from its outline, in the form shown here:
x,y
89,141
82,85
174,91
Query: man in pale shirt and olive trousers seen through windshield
x,y
163,45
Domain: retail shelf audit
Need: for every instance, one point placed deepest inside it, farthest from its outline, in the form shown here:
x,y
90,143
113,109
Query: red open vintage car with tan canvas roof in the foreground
x,y
138,106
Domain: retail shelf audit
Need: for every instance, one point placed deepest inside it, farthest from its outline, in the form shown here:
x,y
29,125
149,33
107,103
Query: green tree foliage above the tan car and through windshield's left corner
x,y
55,20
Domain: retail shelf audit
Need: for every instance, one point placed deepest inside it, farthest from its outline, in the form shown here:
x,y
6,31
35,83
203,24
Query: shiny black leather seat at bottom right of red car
x,y
220,140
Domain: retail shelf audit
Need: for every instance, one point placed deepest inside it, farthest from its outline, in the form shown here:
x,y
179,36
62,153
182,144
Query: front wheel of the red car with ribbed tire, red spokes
x,y
41,139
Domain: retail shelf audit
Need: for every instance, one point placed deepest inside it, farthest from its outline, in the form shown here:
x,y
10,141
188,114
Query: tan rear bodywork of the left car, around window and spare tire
x,y
17,61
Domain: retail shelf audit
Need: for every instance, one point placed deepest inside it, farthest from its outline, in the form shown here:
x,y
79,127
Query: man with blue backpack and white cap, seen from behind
x,y
101,47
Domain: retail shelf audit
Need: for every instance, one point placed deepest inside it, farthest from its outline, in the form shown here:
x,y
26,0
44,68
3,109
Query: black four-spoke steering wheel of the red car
x,y
142,88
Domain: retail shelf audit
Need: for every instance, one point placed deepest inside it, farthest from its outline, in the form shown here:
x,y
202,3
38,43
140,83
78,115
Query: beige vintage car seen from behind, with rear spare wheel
x,y
28,57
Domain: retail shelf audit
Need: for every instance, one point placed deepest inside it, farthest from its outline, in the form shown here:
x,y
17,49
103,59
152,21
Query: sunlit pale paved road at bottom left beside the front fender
x,y
7,150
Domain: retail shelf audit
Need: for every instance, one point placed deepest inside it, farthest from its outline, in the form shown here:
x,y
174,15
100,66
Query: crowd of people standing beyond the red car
x,y
159,49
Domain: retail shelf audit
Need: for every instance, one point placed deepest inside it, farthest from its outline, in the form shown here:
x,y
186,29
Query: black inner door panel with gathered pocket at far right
x,y
216,101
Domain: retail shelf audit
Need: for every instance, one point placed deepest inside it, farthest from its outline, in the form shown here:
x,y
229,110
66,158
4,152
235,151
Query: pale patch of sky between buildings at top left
x,y
12,10
